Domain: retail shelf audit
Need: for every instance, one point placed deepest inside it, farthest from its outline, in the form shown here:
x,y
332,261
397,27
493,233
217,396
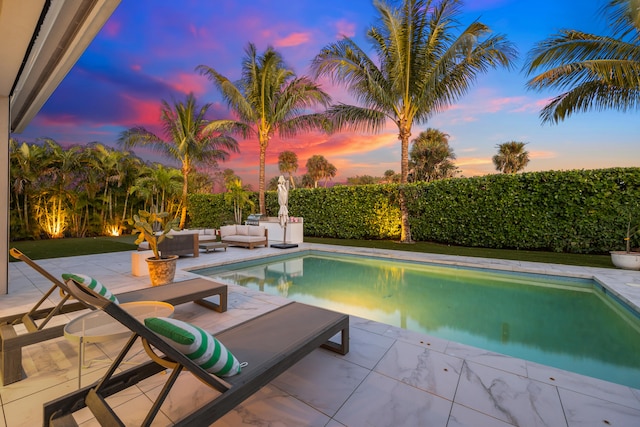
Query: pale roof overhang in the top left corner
x,y
42,40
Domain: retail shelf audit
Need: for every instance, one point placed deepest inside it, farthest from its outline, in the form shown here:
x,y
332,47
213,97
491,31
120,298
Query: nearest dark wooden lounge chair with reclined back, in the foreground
x,y
270,344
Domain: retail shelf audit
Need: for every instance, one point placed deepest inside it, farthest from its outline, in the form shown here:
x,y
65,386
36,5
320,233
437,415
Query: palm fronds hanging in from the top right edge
x,y
593,72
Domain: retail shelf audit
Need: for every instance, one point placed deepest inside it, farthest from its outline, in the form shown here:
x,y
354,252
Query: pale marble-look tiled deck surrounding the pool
x,y
391,377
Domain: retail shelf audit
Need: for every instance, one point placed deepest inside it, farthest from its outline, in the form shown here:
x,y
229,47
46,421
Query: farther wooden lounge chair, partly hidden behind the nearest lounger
x,y
35,320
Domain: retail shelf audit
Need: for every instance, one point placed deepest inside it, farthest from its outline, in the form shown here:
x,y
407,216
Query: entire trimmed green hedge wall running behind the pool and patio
x,y
580,211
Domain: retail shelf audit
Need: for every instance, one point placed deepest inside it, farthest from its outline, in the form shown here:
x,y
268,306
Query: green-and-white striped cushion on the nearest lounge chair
x,y
197,344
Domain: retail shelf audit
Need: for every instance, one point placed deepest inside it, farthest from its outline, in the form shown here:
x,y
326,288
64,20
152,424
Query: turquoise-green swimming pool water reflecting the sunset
x,y
568,323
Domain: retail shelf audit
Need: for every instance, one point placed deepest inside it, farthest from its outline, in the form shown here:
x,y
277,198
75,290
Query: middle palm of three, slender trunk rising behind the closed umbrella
x,y
269,99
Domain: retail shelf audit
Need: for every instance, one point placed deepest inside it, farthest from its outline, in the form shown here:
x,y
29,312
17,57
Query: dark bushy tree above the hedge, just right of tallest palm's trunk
x,y
431,157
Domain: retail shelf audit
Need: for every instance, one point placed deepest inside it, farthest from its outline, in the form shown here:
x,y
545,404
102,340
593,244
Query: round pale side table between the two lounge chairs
x,y
97,326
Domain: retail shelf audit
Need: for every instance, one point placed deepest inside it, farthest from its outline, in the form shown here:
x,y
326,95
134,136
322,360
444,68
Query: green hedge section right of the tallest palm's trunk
x,y
581,211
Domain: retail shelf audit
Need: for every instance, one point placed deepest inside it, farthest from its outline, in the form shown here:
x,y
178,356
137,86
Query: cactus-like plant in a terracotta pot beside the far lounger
x,y
162,269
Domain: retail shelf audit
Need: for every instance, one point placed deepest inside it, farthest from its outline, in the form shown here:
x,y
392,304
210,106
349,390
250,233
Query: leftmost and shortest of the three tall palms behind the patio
x,y
189,140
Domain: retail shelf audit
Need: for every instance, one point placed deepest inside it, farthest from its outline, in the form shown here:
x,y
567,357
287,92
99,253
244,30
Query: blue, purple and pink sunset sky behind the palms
x,y
149,49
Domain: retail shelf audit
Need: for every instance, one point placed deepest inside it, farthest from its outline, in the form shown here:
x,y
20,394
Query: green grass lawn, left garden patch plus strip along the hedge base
x,y
56,248
